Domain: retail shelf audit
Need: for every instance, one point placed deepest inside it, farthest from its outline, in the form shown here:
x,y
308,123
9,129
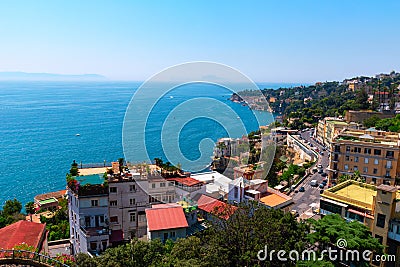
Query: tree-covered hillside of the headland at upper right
x,y
303,106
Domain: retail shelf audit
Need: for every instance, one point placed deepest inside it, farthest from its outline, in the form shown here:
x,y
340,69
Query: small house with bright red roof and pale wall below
x,y
166,221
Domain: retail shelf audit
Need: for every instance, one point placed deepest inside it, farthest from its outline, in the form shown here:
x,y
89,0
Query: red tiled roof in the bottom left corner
x,y
27,232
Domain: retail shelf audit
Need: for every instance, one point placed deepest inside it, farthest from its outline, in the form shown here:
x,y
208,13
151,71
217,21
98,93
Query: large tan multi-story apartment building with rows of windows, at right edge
x,y
373,153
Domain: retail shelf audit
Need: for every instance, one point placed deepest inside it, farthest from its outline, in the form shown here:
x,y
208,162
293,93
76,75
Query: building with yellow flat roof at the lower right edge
x,y
377,207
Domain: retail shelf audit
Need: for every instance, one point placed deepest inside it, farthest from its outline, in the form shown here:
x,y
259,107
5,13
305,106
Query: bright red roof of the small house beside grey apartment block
x,y
165,217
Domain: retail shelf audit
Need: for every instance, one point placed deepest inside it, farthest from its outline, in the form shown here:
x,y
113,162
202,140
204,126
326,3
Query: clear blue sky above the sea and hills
x,y
270,41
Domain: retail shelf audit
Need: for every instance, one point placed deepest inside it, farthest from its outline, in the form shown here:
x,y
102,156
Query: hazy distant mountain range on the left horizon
x,y
26,76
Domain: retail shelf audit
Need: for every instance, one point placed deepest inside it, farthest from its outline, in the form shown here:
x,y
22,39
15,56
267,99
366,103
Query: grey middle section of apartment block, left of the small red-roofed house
x,y
126,207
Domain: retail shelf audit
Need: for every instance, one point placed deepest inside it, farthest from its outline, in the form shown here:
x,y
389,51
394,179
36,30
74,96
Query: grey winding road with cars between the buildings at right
x,y
303,200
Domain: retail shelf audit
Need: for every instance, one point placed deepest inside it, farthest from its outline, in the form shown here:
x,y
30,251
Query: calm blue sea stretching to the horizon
x,y
39,123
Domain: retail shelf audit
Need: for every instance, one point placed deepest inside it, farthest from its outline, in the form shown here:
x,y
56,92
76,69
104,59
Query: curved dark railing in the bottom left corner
x,y
15,256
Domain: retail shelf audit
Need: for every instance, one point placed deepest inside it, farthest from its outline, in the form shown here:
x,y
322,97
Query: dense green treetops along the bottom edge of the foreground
x,y
237,241
